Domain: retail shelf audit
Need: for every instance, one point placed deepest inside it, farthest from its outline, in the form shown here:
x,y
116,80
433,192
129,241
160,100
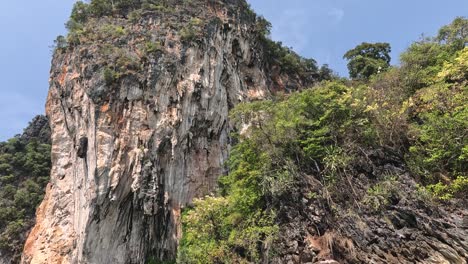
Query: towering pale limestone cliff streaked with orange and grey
x,y
139,117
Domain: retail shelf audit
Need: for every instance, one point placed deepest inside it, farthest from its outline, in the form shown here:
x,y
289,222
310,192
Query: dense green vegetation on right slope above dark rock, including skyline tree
x,y
416,112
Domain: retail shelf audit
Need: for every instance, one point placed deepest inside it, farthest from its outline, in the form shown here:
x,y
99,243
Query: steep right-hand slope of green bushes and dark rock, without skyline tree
x,y
370,171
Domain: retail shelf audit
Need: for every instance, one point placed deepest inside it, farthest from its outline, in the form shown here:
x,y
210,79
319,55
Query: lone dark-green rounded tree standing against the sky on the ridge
x,y
368,59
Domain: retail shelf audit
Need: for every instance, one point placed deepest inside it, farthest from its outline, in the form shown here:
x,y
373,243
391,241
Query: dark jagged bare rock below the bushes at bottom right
x,y
353,226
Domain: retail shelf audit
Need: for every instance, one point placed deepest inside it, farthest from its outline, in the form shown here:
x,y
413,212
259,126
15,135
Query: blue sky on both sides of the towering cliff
x,y
319,29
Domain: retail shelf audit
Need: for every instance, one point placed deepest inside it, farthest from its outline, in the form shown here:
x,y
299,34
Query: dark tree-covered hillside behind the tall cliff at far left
x,y
24,174
